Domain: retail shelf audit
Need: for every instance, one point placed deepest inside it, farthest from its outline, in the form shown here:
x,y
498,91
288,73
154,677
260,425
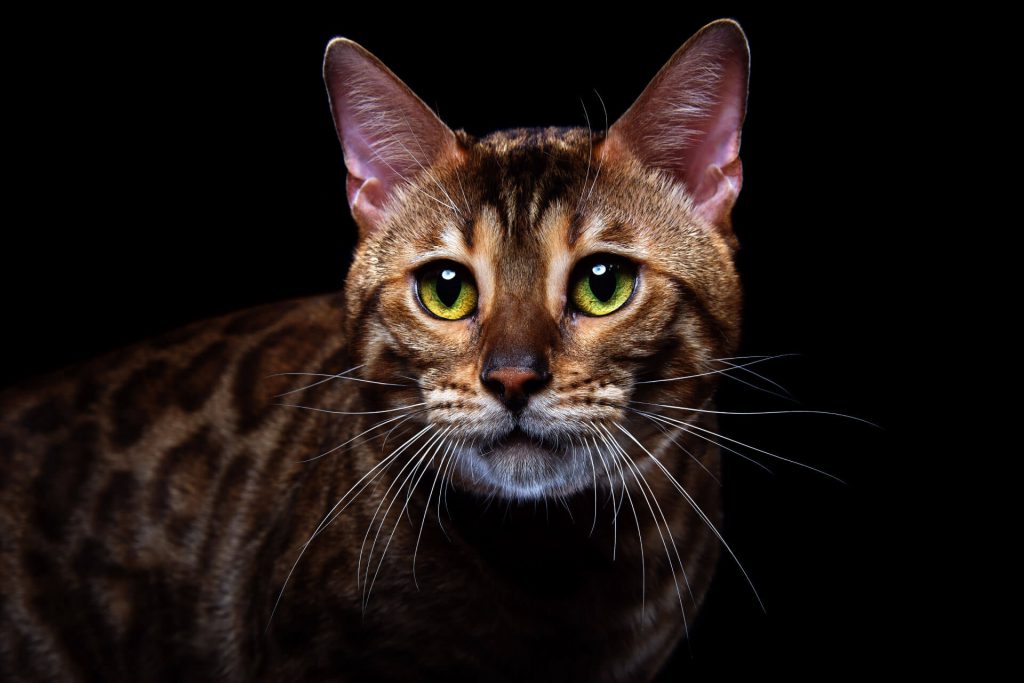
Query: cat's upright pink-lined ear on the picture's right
x,y
688,121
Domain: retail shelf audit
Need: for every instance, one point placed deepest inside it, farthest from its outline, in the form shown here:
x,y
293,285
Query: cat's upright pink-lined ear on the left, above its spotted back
x,y
388,134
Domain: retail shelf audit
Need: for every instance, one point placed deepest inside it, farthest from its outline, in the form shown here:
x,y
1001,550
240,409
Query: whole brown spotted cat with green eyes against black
x,y
460,467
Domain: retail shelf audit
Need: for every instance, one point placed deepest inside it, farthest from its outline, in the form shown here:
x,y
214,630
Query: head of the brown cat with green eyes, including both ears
x,y
541,286
